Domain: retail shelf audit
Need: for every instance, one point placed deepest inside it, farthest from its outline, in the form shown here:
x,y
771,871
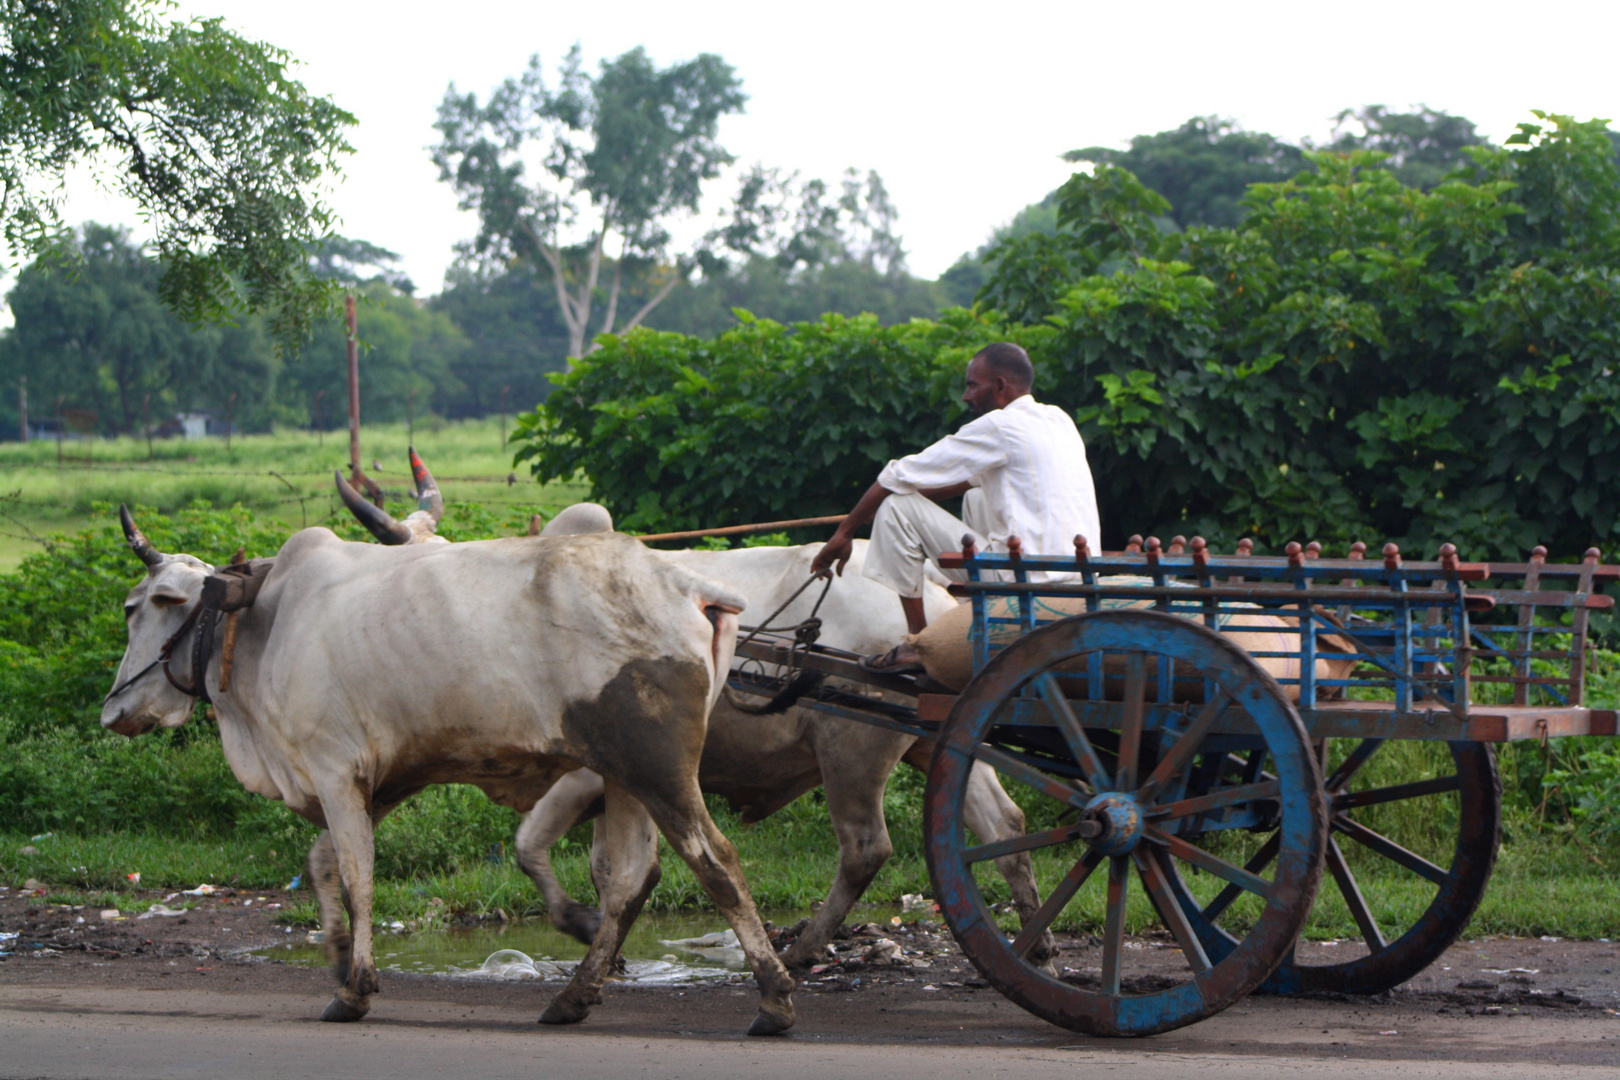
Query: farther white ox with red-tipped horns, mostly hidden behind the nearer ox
x,y
762,763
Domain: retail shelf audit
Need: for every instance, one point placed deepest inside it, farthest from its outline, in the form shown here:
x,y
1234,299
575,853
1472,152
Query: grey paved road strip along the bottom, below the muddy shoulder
x,y
223,1032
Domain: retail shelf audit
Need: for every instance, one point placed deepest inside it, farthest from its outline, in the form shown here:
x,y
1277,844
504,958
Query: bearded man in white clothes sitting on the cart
x,y
1020,469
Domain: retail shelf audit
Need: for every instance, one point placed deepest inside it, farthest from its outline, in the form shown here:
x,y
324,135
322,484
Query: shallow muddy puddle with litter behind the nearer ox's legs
x,y
662,950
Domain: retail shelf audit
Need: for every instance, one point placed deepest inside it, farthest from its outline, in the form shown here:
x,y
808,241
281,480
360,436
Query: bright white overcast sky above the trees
x,y
963,109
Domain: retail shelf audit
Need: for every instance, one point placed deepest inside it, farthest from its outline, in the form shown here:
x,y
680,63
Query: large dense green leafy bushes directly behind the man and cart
x,y
1358,360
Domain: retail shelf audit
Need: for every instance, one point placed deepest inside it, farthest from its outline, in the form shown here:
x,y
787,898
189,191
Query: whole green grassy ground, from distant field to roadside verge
x,y
168,807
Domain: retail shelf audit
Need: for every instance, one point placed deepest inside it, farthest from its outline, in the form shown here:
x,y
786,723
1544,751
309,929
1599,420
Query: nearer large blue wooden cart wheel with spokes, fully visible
x,y
1114,789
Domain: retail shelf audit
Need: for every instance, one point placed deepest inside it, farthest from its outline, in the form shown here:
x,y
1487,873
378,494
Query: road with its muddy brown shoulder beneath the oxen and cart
x,y
176,1000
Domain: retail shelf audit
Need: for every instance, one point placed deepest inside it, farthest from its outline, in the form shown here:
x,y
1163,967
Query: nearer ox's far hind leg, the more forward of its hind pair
x,y
626,869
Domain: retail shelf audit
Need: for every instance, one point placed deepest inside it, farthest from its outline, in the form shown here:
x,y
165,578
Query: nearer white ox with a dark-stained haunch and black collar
x,y
362,676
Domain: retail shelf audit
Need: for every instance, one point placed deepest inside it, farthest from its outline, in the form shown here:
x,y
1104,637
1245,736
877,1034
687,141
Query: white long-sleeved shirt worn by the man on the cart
x,y
1030,461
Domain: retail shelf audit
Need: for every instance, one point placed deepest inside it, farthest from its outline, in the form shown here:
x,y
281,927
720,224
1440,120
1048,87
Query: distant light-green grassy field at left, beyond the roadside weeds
x,y
286,475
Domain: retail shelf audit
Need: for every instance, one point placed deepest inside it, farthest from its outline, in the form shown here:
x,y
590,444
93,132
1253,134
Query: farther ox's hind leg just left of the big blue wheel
x,y
855,802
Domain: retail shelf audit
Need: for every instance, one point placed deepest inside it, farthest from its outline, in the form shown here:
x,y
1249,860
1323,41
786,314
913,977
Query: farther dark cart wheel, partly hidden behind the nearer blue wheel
x,y
1460,810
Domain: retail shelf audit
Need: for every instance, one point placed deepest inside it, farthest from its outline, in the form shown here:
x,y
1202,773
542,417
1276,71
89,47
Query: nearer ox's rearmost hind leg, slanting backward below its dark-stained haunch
x,y
712,857
